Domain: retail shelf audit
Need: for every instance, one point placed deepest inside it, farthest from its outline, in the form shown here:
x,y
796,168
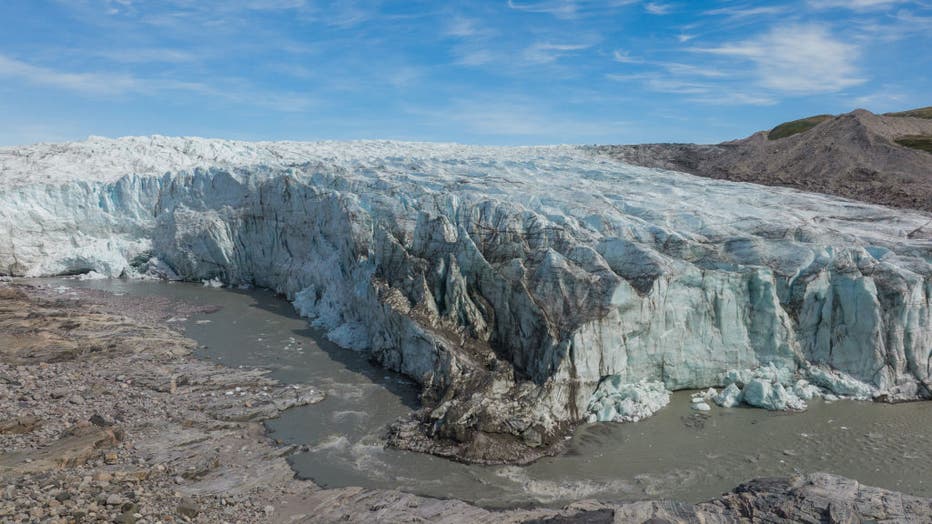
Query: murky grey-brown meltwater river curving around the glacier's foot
x,y
678,453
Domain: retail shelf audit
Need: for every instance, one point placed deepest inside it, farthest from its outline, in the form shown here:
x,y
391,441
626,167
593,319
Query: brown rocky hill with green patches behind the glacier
x,y
881,159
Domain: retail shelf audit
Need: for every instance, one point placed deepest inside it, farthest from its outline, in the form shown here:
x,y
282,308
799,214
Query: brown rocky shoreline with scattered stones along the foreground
x,y
105,415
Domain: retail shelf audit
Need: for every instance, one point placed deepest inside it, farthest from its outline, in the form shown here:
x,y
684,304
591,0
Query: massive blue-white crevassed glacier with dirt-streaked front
x,y
511,282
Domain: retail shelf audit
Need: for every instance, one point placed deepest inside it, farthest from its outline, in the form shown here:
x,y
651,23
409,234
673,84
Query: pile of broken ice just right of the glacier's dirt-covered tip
x,y
619,402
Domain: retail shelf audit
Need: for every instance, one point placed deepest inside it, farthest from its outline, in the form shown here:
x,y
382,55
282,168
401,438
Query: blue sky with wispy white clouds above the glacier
x,y
490,72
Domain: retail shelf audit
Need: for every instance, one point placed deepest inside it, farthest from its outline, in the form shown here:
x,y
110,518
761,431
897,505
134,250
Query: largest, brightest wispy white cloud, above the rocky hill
x,y
797,59
